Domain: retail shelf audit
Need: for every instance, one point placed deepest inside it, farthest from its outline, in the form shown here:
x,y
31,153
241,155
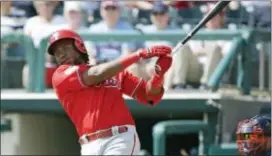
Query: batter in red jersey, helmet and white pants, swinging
x,y
92,95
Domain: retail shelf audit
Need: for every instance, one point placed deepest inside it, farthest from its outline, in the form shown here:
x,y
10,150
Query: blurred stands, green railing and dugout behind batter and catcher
x,y
221,76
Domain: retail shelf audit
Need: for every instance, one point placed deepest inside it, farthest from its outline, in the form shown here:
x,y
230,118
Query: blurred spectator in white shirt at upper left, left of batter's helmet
x,y
39,27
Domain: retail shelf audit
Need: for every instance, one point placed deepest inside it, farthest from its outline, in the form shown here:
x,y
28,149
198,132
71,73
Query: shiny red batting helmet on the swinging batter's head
x,y
66,34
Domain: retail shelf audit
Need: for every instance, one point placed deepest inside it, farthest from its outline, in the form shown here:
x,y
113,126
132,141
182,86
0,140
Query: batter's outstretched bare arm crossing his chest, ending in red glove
x,y
102,72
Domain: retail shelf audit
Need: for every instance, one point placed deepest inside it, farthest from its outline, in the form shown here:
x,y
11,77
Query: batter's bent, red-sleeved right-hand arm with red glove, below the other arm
x,y
151,91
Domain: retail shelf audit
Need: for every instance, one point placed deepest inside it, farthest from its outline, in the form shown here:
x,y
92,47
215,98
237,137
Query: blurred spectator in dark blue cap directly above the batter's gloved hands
x,y
160,22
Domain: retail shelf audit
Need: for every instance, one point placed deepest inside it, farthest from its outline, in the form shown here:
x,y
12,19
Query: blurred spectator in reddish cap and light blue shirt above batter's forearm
x,y
110,13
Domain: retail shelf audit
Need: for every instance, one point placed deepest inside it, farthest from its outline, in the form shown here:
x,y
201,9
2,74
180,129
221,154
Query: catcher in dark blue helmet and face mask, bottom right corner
x,y
254,136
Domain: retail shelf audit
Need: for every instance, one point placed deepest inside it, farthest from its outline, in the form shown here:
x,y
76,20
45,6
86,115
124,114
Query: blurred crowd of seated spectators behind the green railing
x,y
194,64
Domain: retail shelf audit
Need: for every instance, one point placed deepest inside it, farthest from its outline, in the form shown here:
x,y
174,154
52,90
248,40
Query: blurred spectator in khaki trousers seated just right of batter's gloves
x,y
198,59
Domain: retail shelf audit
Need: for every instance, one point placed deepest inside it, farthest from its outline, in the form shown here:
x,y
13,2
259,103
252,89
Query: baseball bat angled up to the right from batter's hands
x,y
220,5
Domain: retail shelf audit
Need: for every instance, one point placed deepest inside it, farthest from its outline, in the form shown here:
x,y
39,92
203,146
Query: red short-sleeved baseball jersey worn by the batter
x,y
92,108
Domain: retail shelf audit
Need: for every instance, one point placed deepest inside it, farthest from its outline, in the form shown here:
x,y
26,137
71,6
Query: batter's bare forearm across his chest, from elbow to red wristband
x,y
107,70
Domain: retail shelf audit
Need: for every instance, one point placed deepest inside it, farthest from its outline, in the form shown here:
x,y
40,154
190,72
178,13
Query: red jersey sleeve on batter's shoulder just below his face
x,y
67,78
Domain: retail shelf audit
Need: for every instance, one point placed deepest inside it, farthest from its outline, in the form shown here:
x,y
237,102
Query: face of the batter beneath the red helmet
x,y
65,52
